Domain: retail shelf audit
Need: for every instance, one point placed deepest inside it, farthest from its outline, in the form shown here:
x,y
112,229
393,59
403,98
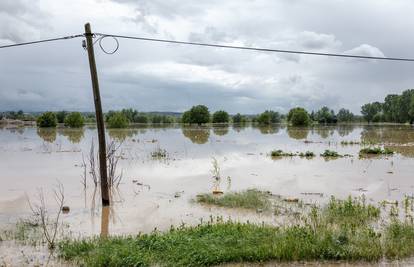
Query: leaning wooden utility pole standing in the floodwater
x,y
99,117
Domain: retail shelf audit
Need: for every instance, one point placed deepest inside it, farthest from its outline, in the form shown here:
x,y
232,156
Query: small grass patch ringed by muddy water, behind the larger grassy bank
x,y
249,199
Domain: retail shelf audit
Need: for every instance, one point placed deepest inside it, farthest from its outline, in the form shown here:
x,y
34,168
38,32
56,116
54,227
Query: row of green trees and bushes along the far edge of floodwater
x,y
395,108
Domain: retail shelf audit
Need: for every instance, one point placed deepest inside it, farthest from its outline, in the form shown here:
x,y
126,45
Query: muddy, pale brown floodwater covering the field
x,y
156,192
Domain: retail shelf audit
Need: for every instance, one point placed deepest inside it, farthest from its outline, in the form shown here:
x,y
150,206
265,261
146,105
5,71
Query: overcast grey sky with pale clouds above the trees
x,y
167,77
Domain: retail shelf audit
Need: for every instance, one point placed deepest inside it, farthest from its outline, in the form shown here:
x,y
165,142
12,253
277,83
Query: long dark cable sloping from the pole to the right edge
x,y
255,48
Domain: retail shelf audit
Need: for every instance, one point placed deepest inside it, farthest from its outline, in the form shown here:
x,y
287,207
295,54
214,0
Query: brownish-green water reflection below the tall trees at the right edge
x,y
398,134
